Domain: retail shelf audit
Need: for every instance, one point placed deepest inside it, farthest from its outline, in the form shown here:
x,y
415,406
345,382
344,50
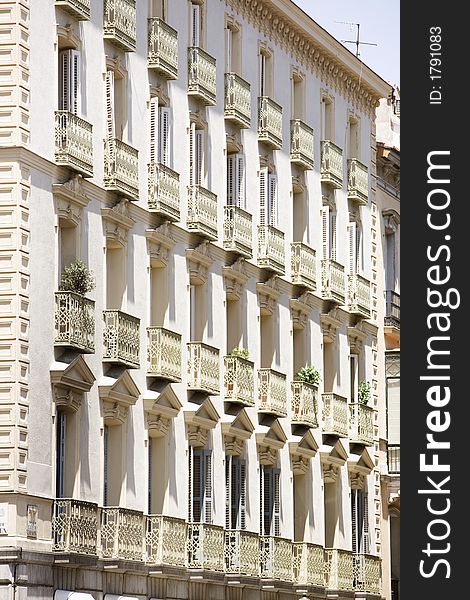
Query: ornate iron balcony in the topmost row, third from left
x,y
163,49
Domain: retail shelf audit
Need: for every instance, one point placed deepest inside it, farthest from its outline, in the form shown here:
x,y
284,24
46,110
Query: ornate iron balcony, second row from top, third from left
x,y
164,192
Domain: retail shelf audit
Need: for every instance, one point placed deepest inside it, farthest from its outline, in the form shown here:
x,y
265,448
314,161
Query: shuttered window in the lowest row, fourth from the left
x,y
200,485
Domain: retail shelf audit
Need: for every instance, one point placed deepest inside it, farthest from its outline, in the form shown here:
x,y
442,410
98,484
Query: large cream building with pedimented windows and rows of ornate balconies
x,y
213,163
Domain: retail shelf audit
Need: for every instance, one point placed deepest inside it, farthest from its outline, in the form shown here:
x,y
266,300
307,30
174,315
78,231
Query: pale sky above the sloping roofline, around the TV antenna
x,y
380,24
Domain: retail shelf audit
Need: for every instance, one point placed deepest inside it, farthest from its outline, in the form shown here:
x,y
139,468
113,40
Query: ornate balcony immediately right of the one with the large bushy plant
x,y
121,336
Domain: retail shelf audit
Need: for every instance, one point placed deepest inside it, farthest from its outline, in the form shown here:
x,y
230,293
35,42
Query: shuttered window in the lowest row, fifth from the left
x,y
235,495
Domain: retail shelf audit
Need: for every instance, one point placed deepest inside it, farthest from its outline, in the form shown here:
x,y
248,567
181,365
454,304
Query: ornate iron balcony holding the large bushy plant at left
x,y
74,321
